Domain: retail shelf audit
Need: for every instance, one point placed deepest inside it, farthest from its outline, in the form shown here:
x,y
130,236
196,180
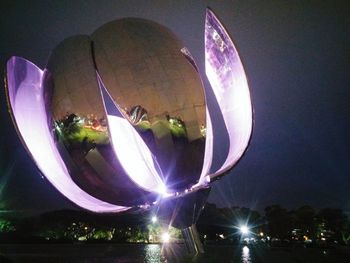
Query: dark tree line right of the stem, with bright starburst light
x,y
301,224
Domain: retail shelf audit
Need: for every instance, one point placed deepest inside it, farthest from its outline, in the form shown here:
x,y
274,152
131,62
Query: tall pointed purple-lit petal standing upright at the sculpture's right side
x,y
226,75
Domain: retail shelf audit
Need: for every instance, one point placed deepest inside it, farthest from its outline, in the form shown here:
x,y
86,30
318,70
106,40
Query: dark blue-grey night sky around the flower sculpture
x,y
297,59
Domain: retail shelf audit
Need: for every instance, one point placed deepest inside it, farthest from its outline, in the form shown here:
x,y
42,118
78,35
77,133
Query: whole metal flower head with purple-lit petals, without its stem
x,y
118,120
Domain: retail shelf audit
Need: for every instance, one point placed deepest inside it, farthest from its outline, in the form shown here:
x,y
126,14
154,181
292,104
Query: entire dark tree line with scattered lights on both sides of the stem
x,y
275,222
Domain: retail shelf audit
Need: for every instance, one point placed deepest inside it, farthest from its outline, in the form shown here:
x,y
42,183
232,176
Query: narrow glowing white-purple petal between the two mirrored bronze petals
x,y
130,149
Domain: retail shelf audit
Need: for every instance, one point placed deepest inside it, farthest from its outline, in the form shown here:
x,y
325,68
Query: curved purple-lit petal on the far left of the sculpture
x,y
27,102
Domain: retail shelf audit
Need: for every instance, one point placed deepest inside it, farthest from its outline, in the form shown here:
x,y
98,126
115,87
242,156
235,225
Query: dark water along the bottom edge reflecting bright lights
x,y
152,254
